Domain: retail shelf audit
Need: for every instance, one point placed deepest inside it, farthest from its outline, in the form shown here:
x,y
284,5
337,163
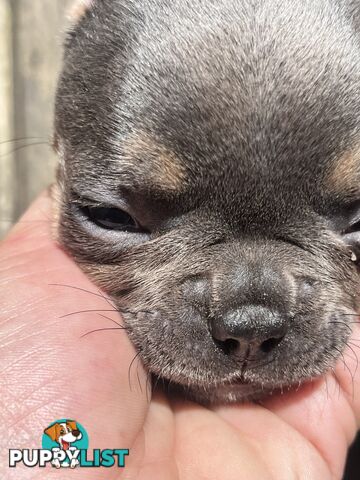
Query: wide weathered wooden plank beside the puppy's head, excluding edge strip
x,y
37,38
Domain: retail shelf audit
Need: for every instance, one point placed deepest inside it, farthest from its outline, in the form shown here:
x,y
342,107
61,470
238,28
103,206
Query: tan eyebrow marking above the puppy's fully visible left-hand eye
x,y
165,169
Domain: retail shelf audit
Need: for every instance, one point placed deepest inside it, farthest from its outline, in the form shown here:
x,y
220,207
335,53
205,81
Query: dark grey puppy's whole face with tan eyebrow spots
x,y
209,182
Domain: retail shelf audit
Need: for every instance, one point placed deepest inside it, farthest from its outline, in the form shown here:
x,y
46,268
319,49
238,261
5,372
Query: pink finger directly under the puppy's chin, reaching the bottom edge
x,y
242,442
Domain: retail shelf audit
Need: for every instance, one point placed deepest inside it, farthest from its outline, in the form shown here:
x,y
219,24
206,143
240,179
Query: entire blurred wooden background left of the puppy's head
x,y
31,33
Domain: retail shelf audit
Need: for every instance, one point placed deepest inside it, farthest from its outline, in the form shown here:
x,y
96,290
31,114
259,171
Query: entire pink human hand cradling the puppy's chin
x,y
54,366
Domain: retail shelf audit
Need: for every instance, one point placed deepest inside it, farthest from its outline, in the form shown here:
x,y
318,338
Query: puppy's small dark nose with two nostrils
x,y
249,332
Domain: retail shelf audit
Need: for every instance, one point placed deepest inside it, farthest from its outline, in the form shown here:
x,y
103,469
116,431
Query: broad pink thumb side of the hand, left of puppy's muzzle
x,y
52,366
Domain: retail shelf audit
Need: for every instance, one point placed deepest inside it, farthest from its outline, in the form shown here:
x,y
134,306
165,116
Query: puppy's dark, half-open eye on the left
x,y
111,218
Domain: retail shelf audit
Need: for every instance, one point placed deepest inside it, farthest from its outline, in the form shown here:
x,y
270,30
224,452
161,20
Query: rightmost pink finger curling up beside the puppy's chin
x,y
325,412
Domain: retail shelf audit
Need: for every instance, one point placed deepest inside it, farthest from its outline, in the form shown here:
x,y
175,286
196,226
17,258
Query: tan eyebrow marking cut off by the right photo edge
x,y
344,174
